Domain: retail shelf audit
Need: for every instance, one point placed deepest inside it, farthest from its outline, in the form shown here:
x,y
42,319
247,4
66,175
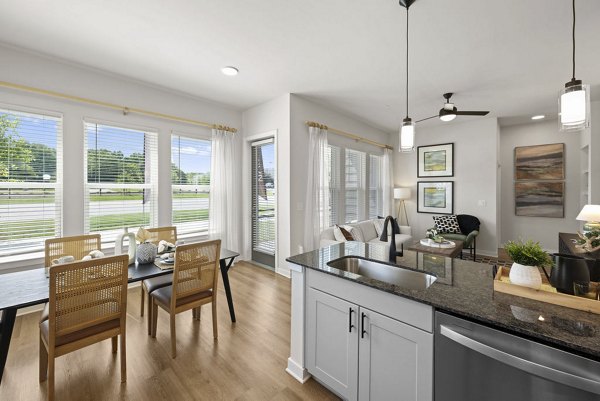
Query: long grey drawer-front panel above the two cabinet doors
x,y
397,307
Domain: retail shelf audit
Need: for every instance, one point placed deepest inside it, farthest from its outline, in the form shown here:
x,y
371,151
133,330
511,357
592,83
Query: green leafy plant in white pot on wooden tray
x,y
527,257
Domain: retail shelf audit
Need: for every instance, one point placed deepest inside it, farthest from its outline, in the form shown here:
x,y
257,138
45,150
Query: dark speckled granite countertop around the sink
x,y
465,289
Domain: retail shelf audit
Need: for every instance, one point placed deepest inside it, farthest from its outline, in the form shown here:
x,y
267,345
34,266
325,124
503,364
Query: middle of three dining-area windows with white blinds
x,y
121,178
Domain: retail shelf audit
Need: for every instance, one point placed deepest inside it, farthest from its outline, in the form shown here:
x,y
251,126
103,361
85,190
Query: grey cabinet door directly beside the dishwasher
x,y
396,360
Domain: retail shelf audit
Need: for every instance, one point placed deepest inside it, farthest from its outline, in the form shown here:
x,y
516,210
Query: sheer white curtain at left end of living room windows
x,y
317,189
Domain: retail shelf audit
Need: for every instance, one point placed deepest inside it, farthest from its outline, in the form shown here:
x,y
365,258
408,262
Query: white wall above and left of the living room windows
x,y
303,110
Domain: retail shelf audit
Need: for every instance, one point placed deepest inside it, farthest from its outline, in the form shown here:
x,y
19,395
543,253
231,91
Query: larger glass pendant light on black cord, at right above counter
x,y
574,99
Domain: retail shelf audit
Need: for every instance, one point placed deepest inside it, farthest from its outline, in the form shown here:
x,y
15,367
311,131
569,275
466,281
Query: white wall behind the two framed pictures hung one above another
x,y
475,175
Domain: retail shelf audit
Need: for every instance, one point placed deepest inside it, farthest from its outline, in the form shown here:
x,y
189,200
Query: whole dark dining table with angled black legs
x,y
31,287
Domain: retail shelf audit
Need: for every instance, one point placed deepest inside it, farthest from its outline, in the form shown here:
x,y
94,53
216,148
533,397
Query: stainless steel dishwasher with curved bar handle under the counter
x,y
477,363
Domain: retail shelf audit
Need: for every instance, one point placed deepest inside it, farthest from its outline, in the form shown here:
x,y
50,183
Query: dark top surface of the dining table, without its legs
x,y
30,287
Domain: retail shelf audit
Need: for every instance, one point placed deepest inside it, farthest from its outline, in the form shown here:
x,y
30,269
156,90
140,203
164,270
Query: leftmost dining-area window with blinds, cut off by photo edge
x,y
30,180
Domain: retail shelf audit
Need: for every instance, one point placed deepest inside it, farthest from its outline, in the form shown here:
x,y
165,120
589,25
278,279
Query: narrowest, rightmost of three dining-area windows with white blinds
x,y
190,179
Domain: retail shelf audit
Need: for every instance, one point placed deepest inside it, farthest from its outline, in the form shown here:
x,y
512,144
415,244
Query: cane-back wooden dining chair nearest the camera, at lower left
x,y
88,304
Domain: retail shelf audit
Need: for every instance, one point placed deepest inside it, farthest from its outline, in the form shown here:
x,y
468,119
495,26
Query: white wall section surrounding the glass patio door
x,y
272,117
